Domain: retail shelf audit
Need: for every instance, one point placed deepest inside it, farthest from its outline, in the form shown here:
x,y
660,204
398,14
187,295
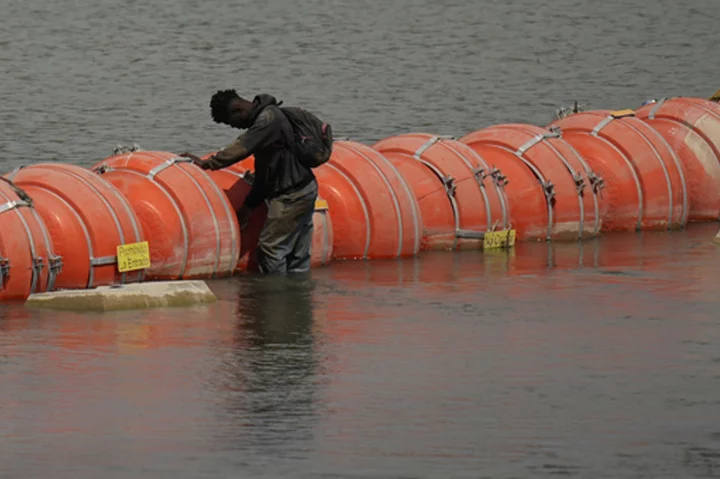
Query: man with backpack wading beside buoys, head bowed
x,y
286,143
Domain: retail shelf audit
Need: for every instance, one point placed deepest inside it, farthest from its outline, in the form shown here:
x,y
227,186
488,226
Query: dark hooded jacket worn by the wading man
x,y
268,139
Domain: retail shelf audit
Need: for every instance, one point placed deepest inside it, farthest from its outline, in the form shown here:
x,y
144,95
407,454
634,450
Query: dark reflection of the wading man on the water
x,y
267,378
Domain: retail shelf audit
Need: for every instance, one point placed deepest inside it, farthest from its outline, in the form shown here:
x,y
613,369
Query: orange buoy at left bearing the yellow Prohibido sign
x,y
86,217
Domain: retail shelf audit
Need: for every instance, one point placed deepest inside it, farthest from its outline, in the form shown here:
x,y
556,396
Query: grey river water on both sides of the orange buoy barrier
x,y
599,360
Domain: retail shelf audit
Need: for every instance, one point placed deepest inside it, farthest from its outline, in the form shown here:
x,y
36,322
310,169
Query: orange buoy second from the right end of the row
x,y
644,179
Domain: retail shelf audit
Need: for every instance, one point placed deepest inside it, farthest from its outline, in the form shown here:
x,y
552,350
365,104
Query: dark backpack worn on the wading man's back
x,y
313,138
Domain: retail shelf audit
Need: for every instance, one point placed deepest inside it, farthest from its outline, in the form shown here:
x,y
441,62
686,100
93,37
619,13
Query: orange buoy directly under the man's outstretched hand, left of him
x,y
186,218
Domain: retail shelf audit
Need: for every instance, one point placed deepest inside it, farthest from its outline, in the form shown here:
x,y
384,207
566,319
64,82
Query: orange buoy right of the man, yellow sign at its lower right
x,y
477,208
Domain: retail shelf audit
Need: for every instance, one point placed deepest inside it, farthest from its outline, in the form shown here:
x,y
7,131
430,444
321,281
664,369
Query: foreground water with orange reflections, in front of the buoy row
x,y
594,360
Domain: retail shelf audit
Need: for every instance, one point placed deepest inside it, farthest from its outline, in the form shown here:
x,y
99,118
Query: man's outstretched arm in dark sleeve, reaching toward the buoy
x,y
264,131
